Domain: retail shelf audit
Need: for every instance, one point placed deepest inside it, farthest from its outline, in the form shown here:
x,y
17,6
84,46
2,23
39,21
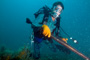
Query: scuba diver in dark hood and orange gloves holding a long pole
x,y
46,23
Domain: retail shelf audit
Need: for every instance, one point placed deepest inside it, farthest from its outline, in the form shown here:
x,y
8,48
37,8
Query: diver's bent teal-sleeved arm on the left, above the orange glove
x,y
35,23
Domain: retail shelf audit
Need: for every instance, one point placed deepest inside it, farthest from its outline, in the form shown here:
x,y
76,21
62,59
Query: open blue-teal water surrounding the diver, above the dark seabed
x,y
14,32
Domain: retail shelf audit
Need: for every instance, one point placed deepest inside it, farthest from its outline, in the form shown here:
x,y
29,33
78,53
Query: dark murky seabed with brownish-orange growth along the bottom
x,y
24,53
